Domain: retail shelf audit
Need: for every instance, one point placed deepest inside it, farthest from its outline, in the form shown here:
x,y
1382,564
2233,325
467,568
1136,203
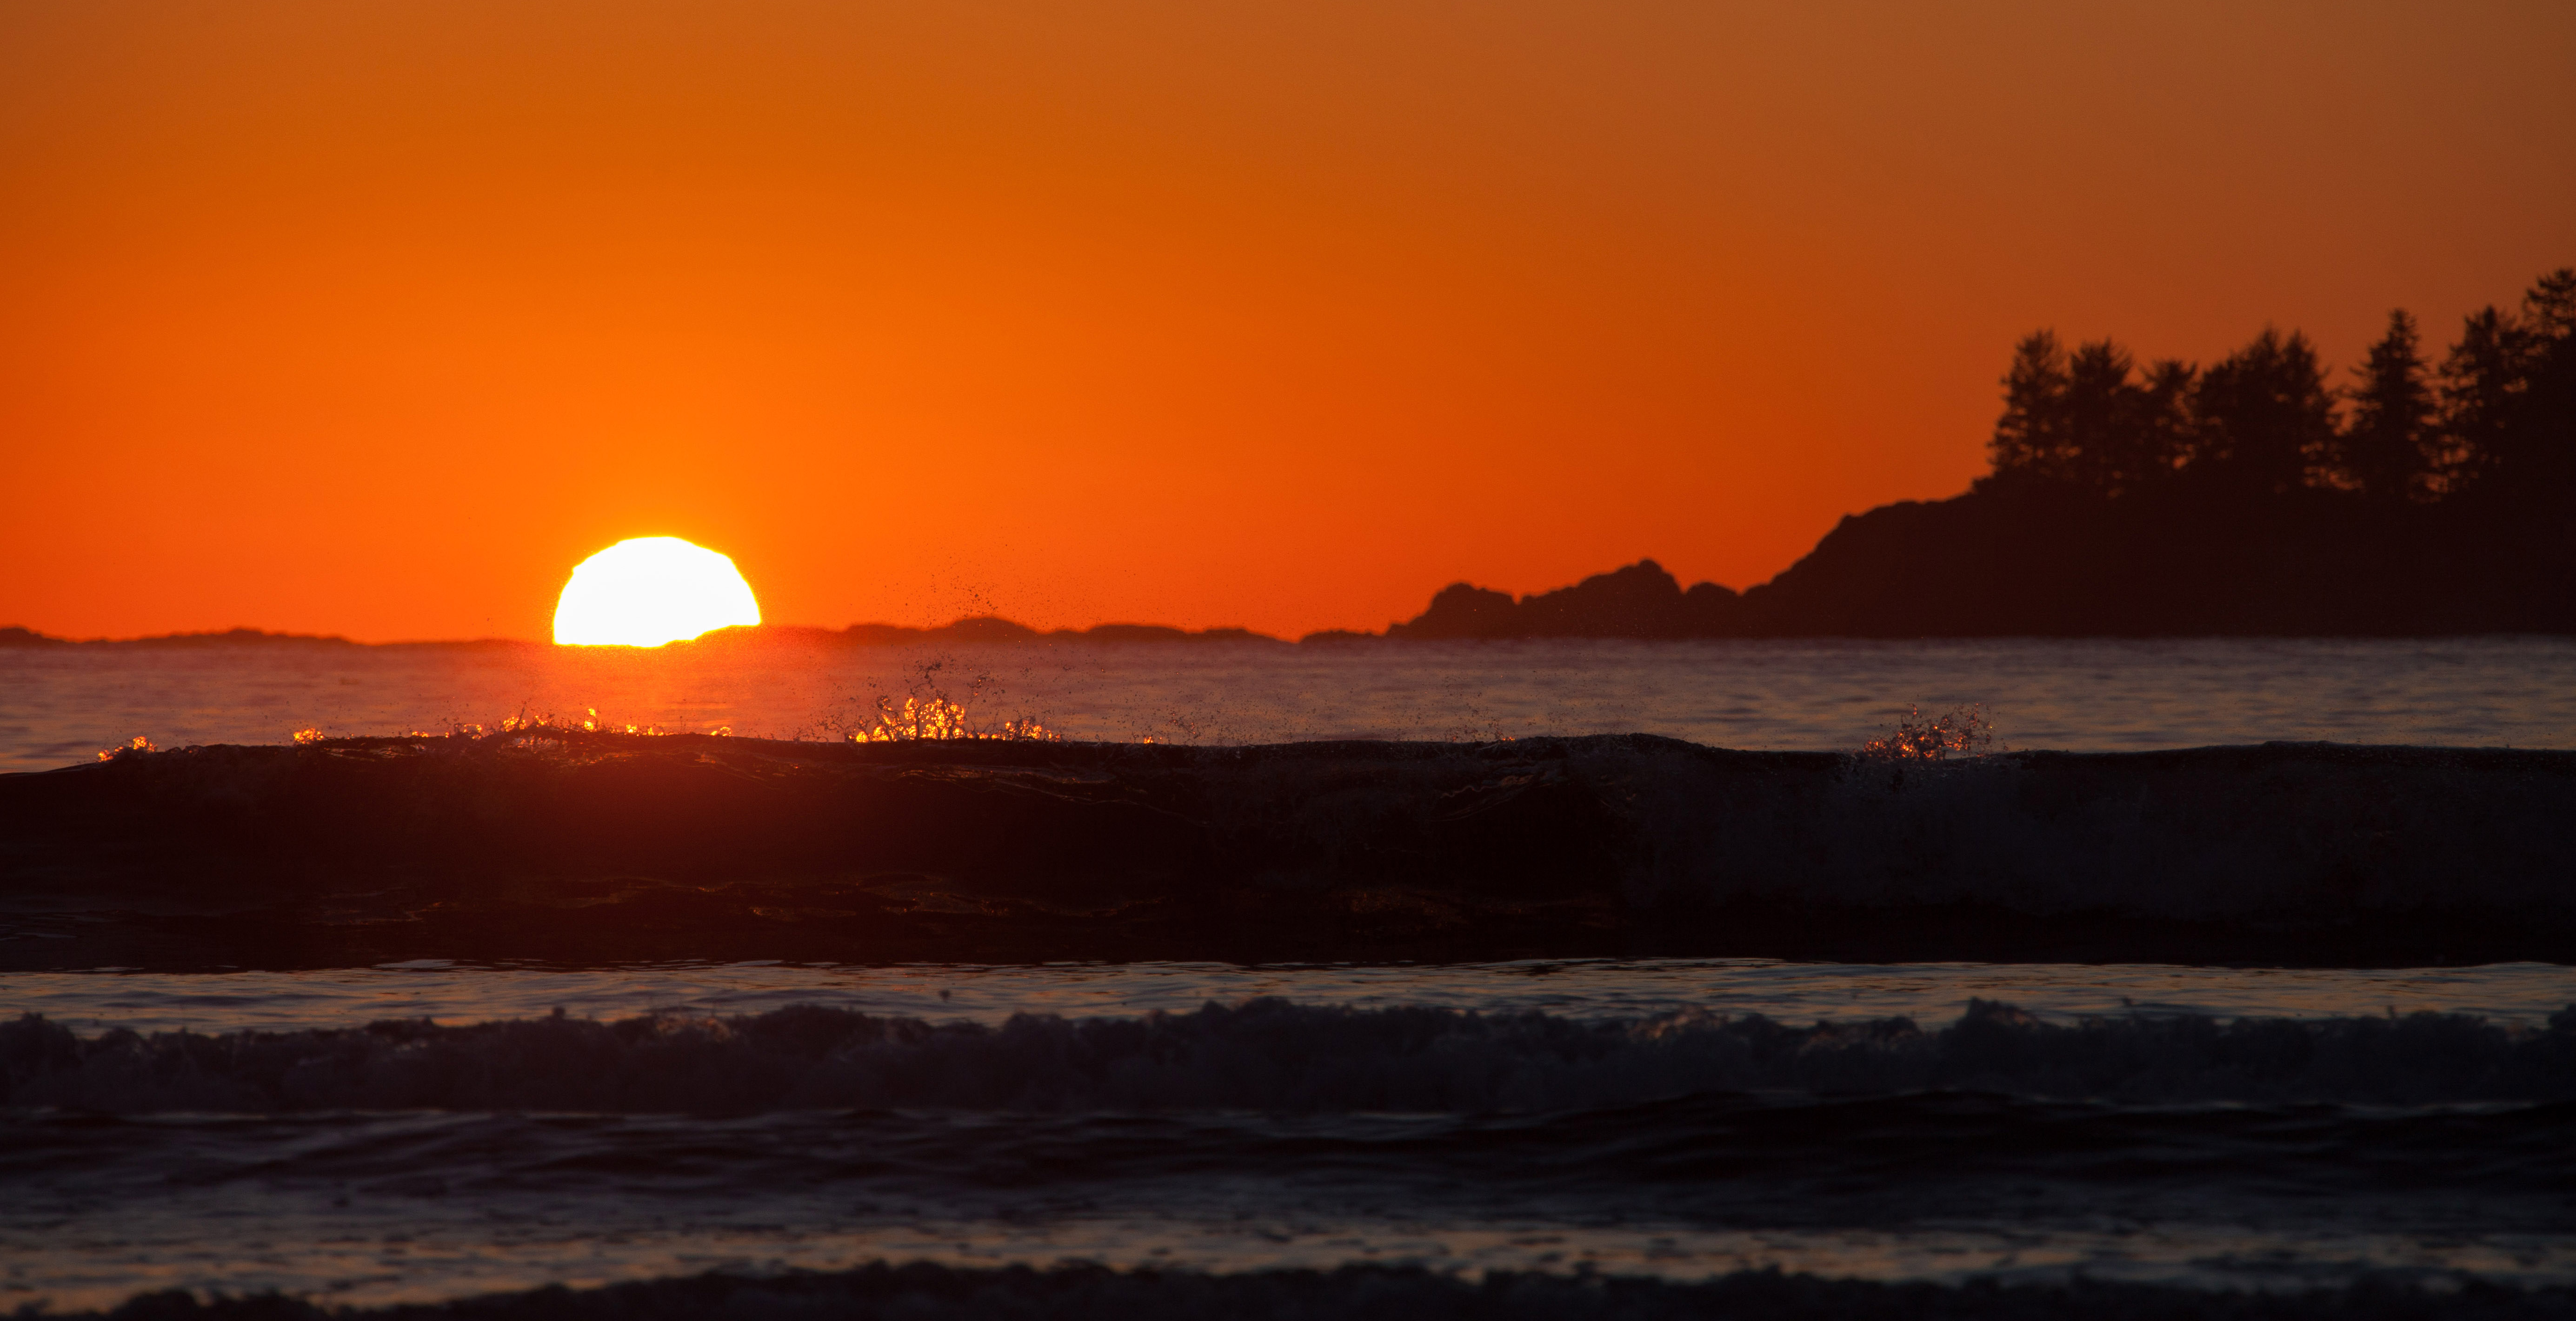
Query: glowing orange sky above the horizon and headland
x,y
377,318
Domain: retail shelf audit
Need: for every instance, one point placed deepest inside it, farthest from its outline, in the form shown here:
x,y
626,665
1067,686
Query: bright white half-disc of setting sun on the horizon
x,y
650,591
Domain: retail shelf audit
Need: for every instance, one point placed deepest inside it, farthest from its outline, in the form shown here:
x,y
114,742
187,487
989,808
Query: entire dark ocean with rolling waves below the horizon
x,y
1490,980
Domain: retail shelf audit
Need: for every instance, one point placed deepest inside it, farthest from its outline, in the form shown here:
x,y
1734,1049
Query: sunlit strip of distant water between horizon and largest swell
x,y
2088,697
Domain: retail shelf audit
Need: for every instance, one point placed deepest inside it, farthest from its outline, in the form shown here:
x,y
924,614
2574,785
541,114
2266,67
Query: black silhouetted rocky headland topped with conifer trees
x,y
2250,496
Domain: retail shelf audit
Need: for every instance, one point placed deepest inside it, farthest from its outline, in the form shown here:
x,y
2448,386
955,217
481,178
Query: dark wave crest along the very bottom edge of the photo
x,y
923,1291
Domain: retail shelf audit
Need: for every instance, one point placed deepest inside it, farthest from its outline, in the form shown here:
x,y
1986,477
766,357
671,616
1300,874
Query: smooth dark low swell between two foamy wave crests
x,y
1712,1160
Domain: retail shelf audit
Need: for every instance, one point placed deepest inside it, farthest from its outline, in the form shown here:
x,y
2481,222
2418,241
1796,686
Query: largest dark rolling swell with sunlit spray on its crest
x,y
607,848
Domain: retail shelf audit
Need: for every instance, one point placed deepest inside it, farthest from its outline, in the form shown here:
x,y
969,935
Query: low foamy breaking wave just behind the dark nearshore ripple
x,y
1274,1057
